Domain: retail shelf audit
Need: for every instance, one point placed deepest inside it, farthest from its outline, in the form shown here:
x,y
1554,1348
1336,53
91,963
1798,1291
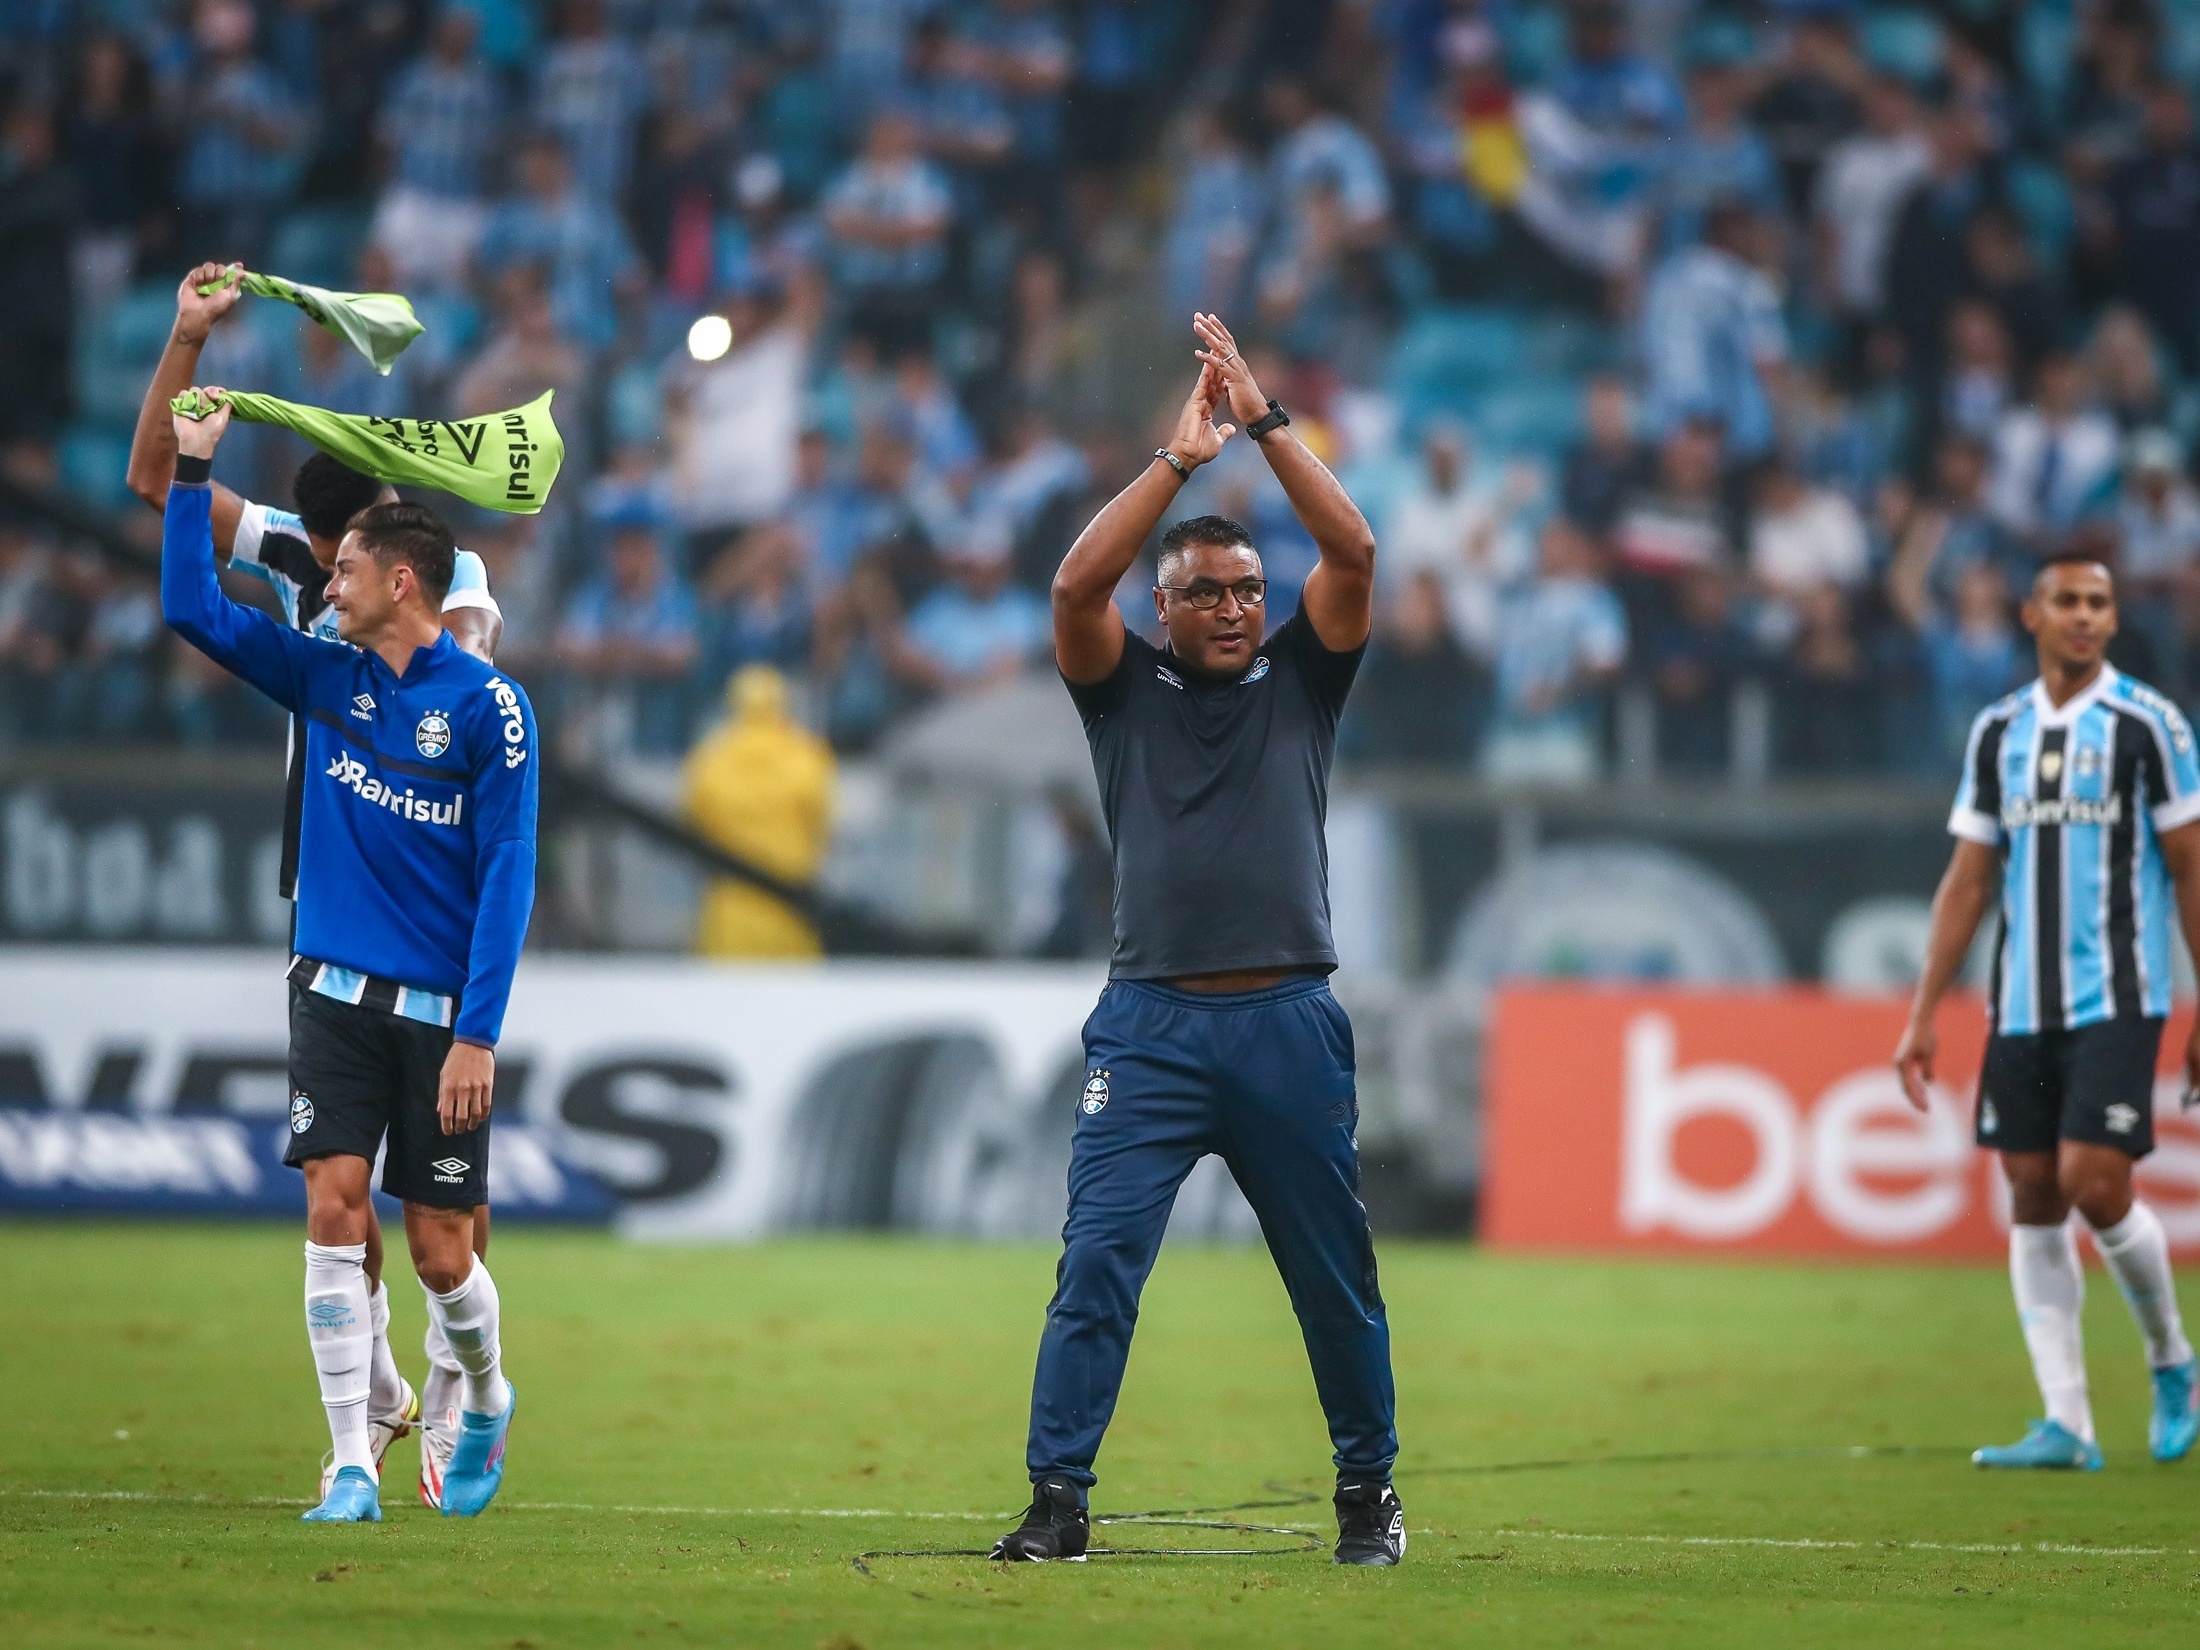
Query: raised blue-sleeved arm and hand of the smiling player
x,y
241,639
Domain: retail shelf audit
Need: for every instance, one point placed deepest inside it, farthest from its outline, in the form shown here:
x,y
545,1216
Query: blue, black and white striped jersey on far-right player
x,y
2078,797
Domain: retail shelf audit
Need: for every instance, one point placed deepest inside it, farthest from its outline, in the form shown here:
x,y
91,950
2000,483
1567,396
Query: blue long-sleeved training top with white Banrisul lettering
x,y
417,852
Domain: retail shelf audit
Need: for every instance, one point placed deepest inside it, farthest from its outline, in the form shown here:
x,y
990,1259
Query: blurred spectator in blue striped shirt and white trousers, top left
x,y
441,131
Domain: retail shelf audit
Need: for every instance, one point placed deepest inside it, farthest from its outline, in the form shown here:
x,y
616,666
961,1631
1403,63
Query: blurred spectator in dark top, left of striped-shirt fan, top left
x,y
113,148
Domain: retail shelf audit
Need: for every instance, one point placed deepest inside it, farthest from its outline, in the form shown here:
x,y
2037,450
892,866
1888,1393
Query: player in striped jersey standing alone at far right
x,y
2080,806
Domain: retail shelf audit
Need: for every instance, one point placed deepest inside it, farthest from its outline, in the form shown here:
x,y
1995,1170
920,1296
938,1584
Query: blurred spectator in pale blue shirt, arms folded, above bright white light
x,y
890,219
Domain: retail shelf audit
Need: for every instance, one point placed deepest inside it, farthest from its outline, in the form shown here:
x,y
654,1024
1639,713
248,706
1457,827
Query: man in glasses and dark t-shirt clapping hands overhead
x,y
1218,1031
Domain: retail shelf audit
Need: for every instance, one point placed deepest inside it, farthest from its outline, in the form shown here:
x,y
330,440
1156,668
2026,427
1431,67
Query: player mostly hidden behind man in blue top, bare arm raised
x,y
294,555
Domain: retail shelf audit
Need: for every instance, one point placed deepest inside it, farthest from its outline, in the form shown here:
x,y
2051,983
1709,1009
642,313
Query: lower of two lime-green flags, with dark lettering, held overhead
x,y
498,461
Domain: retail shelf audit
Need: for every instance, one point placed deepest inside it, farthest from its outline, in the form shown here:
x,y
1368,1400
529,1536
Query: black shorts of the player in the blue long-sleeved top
x,y
360,1075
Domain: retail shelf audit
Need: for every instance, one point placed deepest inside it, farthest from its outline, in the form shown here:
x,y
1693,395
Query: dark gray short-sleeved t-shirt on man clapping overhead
x,y
1215,797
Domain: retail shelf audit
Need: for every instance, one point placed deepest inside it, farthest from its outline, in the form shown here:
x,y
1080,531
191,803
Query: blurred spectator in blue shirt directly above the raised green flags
x,y
245,131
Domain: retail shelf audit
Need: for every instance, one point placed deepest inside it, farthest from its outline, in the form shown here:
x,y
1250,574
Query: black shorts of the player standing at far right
x,y
2093,1083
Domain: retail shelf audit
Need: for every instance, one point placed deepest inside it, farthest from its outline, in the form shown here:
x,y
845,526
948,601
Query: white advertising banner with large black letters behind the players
x,y
714,1101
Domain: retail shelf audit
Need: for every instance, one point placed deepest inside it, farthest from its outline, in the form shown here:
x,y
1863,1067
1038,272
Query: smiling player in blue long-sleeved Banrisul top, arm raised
x,y
417,877
